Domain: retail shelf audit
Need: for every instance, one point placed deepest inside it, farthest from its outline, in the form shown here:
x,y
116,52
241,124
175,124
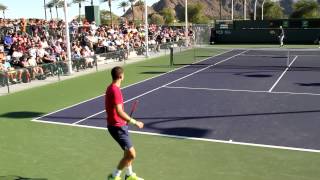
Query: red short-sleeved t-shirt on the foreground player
x,y
114,97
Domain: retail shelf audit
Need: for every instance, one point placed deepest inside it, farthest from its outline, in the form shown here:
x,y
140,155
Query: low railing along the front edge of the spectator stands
x,y
58,69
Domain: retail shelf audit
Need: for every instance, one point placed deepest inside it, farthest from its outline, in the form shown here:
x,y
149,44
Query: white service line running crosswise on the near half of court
x,y
241,90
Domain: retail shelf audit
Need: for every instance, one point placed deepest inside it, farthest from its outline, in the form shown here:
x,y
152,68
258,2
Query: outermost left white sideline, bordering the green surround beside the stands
x,y
133,84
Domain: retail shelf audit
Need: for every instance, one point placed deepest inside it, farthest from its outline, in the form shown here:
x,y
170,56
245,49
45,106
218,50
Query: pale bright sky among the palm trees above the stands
x,y
34,8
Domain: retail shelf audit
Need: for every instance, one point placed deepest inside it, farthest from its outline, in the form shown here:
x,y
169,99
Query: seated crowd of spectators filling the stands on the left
x,y
28,48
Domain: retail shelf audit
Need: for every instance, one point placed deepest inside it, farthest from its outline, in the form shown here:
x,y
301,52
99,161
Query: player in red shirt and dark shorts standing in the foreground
x,y
118,121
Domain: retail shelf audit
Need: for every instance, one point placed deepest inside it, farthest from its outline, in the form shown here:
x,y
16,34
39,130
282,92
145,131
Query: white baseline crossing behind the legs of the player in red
x,y
190,138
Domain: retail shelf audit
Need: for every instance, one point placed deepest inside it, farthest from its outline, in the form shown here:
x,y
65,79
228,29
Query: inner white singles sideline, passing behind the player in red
x,y
155,89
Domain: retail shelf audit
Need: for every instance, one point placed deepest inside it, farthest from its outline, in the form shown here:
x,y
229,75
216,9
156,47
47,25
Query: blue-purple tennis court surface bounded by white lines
x,y
239,96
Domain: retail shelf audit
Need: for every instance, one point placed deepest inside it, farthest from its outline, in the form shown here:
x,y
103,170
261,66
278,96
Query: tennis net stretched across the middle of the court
x,y
266,58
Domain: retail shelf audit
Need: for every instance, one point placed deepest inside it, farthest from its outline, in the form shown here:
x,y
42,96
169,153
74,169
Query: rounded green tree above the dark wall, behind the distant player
x,y
272,10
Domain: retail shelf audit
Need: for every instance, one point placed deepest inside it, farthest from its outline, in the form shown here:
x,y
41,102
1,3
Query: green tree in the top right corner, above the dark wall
x,y
305,9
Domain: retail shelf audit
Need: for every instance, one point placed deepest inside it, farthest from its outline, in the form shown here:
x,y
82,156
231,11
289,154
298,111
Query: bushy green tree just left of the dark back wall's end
x,y
196,15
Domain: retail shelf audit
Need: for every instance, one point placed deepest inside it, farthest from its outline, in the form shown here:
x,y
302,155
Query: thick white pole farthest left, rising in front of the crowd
x,y
65,7
